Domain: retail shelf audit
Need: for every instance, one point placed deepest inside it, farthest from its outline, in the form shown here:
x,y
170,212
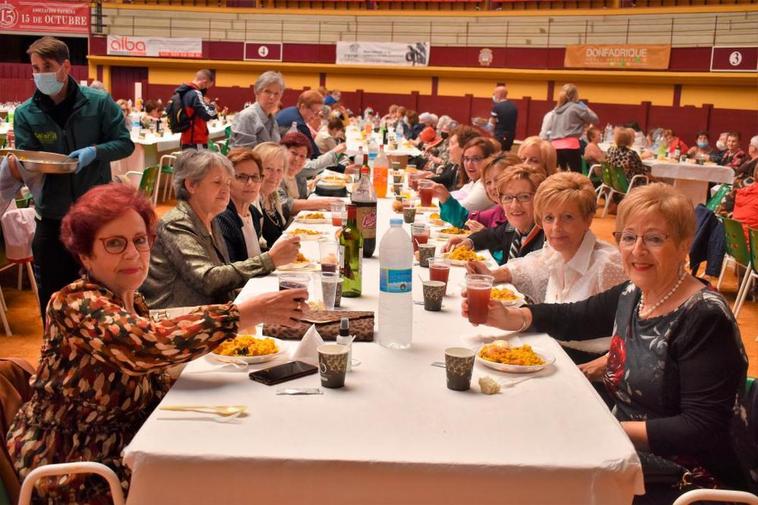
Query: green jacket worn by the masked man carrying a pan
x,y
95,120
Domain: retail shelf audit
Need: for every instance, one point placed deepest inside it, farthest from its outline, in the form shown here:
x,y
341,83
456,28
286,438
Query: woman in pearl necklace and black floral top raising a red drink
x,y
676,365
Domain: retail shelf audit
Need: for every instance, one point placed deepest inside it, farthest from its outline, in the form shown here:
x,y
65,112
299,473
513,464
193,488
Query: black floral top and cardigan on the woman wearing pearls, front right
x,y
683,382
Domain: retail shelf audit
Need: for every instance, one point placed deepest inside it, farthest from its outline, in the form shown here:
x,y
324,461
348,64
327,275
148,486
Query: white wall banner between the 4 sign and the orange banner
x,y
414,54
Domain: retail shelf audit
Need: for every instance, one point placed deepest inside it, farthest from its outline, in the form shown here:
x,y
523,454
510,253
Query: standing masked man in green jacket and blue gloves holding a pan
x,y
63,118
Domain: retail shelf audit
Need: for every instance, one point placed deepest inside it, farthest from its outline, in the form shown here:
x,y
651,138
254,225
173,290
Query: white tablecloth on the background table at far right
x,y
690,178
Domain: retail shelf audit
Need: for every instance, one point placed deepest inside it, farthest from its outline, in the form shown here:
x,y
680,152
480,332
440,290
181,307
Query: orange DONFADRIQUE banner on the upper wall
x,y
618,56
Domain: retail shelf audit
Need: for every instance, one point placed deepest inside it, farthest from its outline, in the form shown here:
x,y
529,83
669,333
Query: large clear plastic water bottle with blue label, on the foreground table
x,y
395,286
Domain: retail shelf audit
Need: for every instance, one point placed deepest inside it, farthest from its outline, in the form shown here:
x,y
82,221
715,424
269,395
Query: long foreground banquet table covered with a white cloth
x,y
395,433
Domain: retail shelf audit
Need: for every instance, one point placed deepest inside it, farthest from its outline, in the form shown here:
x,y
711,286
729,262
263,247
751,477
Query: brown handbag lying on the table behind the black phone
x,y
327,323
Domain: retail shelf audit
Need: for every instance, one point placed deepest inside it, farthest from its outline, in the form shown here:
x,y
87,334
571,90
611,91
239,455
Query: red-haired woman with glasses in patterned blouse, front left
x,y
104,360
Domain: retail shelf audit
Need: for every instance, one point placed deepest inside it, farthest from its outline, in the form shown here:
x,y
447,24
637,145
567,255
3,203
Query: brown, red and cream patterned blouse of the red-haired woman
x,y
102,371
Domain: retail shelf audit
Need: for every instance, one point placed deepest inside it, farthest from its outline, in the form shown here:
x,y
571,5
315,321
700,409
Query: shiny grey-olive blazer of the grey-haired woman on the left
x,y
189,266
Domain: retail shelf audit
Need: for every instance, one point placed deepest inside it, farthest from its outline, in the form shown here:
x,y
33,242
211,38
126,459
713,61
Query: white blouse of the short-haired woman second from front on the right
x,y
545,277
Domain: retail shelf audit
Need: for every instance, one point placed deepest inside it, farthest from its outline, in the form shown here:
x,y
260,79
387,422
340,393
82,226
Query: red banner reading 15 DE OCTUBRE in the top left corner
x,y
44,17
